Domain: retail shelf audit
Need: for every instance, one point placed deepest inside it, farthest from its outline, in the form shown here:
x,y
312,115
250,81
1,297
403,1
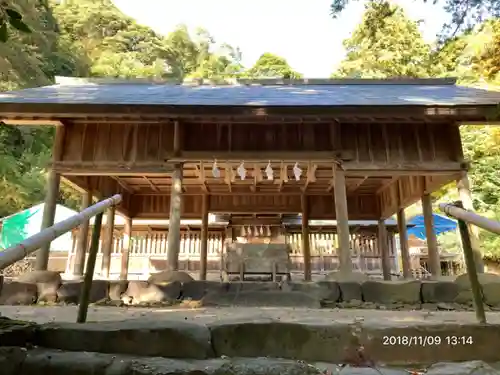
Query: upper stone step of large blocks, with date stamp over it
x,y
307,341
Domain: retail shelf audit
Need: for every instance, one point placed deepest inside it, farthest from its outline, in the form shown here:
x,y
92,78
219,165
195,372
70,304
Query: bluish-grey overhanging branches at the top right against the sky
x,y
464,13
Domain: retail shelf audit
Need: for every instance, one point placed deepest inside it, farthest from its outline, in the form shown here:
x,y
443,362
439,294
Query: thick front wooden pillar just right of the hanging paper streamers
x,y
342,219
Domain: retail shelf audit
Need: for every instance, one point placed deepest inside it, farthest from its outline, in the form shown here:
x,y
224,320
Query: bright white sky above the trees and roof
x,y
302,31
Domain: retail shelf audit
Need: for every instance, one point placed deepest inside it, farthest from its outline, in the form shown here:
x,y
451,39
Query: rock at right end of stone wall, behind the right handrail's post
x,y
490,284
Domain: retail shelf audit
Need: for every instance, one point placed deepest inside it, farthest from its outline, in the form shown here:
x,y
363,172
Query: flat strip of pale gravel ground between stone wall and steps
x,y
44,314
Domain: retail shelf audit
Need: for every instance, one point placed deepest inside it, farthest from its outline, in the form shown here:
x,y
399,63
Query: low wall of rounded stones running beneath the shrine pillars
x,y
369,294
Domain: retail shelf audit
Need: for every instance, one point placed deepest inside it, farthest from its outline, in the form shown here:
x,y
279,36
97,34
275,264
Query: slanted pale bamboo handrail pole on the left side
x,y
33,243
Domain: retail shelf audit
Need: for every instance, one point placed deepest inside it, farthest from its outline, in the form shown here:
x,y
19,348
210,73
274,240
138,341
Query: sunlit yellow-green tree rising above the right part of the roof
x,y
385,44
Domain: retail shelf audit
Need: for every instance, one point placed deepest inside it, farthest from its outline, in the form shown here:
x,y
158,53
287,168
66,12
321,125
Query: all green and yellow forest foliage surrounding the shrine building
x,y
92,38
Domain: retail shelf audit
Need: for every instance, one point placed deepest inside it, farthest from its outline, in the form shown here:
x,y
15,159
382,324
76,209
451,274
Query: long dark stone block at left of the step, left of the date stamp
x,y
171,339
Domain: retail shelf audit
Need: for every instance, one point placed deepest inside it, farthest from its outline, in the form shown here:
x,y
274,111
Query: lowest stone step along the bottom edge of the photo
x,y
20,361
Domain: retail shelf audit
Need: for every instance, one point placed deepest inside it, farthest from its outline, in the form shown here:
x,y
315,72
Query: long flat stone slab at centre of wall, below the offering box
x,y
261,299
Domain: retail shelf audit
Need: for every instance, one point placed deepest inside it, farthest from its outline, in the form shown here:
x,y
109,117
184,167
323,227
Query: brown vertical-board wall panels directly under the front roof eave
x,y
364,142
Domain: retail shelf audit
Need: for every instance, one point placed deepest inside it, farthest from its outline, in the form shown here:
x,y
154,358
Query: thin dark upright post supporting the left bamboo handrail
x,y
83,305
